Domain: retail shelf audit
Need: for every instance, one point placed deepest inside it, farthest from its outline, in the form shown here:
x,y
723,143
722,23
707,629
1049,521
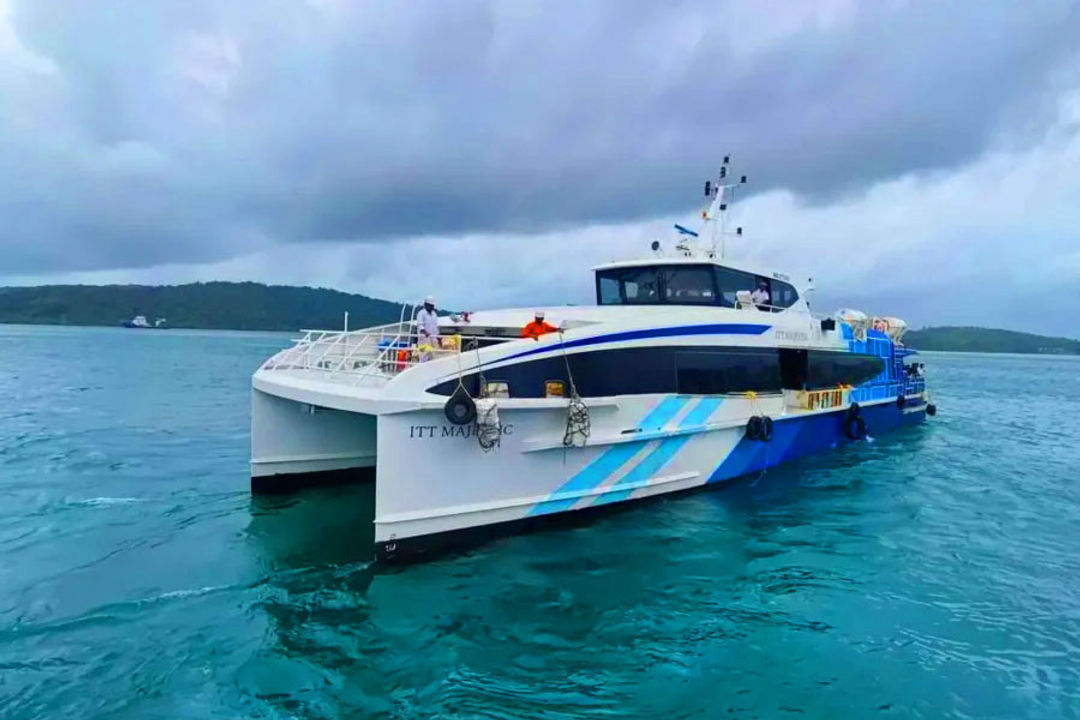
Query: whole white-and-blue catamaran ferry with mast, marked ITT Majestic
x,y
691,371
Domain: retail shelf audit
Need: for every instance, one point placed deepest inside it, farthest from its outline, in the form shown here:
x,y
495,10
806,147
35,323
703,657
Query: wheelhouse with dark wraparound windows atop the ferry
x,y
688,284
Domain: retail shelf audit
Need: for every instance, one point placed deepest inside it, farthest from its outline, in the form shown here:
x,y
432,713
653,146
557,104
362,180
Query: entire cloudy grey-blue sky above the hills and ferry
x,y
919,159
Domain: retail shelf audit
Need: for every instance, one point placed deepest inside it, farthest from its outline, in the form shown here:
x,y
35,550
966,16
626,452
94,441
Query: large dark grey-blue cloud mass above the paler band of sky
x,y
150,132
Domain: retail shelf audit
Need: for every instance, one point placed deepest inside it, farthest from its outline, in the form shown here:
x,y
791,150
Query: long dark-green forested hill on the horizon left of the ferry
x,y
224,306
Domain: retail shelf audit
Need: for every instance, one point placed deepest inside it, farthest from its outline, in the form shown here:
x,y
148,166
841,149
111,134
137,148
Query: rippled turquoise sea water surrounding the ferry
x,y
931,574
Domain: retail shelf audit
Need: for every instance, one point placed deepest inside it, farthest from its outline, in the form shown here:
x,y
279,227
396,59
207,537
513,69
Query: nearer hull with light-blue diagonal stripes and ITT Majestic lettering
x,y
436,485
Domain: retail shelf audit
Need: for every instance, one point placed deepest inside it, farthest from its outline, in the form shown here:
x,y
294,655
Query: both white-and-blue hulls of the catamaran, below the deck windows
x,y
436,485
